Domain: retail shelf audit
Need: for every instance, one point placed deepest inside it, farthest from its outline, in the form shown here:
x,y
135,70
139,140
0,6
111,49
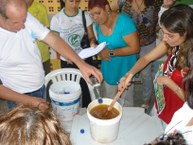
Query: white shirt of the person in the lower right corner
x,y
179,122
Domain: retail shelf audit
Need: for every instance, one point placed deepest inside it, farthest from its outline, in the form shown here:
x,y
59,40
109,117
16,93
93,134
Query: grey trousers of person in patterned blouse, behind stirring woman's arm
x,y
146,74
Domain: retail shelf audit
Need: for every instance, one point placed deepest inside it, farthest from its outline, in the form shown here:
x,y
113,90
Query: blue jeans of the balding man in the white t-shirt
x,y
40,93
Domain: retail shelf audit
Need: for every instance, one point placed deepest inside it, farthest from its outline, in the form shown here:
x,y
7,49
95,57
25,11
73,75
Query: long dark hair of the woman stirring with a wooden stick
x,y
179,19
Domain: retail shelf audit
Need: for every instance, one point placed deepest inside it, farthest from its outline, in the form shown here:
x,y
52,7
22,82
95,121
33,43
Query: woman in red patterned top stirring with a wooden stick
x,y
176,24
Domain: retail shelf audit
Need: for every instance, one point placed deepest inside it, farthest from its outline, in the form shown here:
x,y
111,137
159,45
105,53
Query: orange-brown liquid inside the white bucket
x,y
101,112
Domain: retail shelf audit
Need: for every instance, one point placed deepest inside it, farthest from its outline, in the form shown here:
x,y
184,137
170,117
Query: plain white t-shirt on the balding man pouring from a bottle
x,y
20,60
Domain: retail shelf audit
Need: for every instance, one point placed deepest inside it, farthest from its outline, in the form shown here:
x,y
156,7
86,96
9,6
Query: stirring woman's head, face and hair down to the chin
x,y
176,24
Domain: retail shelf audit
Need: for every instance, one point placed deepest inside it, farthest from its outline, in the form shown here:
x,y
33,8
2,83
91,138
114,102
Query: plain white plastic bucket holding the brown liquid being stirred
x,y
104,131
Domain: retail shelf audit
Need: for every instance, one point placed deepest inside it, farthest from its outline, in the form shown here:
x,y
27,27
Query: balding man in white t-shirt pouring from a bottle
x,y
21,70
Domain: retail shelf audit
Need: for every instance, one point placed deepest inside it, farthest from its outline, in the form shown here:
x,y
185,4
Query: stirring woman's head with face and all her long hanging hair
x,y
176,24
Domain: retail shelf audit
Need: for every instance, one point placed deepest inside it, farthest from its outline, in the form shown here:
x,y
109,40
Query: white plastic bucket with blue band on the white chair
x,y
65,98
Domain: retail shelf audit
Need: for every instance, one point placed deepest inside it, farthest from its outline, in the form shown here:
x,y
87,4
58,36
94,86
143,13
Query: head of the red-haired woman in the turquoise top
x,y
99,10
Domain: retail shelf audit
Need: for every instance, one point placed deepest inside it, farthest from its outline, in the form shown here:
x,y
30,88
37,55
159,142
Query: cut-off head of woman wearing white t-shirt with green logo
x,y
72,5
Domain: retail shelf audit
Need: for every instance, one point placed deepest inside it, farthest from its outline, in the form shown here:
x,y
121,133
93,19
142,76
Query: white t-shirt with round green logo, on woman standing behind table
x,y
70,29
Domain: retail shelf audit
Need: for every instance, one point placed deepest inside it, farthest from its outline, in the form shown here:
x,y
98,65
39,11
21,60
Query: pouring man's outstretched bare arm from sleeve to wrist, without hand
x,y
63,48
